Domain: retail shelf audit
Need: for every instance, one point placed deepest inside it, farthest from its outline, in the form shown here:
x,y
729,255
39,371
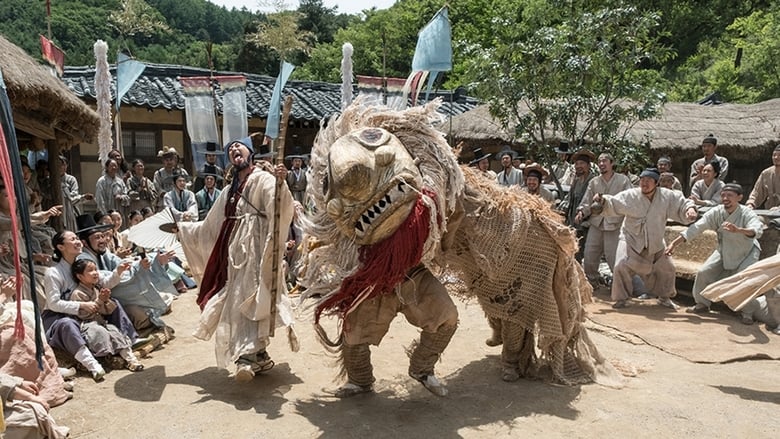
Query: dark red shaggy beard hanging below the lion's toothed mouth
x,y
384,264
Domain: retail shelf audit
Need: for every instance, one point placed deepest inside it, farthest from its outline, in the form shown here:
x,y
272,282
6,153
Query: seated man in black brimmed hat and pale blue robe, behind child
x,y
145,291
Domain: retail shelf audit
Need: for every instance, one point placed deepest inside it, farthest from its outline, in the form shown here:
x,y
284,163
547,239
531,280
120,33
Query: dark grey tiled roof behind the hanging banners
x,y
159,87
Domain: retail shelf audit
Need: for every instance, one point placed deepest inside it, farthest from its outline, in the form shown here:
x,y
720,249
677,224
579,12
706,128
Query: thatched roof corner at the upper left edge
x,y
42,105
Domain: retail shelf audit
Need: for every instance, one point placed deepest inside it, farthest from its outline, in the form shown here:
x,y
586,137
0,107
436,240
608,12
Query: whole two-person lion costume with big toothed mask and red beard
x,y
394,213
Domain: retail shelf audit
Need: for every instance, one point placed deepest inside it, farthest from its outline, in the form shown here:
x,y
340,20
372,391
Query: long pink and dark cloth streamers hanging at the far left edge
x,y
11,171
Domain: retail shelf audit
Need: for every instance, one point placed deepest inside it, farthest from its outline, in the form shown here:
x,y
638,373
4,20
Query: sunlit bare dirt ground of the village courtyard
x,y
182,394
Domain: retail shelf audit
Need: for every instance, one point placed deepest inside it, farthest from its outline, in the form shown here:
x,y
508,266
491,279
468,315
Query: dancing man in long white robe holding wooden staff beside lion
x,y
231,253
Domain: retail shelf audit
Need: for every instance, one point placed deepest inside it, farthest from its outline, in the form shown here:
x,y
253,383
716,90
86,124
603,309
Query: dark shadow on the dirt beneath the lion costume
x,y
403,408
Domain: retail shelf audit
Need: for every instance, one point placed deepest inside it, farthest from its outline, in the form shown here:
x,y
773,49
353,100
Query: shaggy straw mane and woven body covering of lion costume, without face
x,y
511,251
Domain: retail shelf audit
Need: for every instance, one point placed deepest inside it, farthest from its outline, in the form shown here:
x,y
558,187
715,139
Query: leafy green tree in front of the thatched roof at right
x,y
580,79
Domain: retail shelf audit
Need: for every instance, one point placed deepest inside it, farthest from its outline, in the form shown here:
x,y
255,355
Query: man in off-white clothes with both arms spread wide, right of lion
x,y
641,250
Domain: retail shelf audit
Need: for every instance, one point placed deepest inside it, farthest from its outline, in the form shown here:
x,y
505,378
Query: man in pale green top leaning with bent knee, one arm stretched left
x,y
738,229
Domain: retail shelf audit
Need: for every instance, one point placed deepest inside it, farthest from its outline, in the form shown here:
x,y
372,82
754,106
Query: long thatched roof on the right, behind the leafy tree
x,y
681,126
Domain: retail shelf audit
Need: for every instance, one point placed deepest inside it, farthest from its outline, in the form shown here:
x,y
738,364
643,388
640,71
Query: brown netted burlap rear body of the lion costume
x,y
516,257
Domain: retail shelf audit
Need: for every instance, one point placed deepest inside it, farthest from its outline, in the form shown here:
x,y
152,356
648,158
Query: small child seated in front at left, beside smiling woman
x,y
102,337
